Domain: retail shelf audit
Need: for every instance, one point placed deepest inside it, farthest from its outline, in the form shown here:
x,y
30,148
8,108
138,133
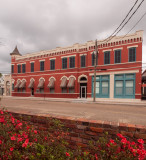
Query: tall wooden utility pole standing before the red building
x,y
95,64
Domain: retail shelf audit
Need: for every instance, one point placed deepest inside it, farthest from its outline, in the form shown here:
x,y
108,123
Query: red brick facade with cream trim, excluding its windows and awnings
x,y
122,43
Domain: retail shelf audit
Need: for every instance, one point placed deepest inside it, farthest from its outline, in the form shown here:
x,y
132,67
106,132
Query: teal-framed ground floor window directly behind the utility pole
x,y
101,87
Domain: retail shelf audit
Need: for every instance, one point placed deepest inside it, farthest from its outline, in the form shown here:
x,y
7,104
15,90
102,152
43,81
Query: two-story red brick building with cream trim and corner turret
x,y
67,72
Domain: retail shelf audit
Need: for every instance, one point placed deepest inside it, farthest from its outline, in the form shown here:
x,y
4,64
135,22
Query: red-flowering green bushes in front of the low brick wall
x,y
22,140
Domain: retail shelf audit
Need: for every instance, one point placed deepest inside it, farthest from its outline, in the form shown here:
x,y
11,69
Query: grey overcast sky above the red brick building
x,y
35,25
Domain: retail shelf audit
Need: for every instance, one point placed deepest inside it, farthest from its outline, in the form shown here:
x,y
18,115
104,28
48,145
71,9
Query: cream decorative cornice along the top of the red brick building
x,y
89,45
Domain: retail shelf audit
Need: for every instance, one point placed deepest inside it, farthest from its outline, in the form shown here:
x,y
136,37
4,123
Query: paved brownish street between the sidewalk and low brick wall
x,y
134,114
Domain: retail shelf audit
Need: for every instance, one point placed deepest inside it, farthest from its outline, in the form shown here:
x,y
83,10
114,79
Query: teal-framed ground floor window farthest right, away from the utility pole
x,y
124,86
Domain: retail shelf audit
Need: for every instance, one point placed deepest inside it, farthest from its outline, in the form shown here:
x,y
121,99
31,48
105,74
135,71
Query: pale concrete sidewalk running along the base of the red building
x,y
88,100
